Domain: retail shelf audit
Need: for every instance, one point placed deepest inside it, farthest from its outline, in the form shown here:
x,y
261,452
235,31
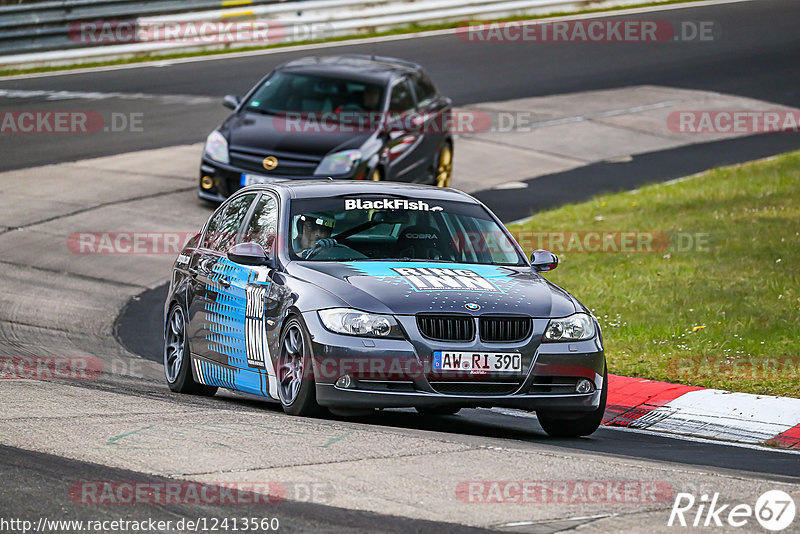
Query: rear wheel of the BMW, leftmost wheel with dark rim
x,y
178,359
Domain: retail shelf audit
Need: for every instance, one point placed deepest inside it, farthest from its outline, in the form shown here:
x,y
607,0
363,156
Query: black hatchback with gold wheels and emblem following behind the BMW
x,y
349,117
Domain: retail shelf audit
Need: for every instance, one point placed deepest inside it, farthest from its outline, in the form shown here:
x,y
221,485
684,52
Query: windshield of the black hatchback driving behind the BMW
x,y
287,92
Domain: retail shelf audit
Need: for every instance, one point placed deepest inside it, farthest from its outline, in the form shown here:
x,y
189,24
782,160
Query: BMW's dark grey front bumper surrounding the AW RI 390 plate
x,y
387,373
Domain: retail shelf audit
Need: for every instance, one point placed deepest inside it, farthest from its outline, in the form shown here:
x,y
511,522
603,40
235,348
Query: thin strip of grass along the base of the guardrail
x,y
411,28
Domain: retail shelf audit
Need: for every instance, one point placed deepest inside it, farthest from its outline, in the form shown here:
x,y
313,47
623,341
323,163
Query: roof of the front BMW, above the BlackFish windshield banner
x,y
300,189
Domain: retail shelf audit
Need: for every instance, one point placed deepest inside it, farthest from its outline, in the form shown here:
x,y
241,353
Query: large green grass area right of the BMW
x,y
725,316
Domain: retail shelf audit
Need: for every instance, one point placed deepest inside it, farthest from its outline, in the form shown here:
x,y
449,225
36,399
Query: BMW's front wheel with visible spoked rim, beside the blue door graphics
x,y
295,375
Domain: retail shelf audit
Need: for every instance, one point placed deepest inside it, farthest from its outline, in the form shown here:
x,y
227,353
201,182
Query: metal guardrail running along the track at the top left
x,y
38,41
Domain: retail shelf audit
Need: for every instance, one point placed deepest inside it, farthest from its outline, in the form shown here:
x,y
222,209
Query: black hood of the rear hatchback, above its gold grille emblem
x,y
256,132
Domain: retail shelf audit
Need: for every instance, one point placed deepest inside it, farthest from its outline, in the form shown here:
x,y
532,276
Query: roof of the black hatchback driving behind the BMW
x,y
353,66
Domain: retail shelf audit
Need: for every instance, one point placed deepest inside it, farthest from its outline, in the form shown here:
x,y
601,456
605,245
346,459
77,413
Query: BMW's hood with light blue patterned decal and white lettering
x,y
408,288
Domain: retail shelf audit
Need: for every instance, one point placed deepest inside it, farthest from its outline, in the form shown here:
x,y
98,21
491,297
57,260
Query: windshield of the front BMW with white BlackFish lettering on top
x,y
381,227
